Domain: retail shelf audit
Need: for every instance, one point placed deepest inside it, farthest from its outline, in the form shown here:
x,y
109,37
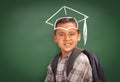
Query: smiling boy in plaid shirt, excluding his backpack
x,y
67,36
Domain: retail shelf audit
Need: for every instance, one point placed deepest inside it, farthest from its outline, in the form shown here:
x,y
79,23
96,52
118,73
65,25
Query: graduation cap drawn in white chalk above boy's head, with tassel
x,y
65,11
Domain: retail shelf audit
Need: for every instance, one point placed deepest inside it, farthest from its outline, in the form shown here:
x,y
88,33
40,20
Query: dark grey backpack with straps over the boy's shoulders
x,y
97,71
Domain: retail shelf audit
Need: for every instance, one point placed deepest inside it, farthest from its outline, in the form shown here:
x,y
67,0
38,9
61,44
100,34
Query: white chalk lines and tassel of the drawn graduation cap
x,y
65,13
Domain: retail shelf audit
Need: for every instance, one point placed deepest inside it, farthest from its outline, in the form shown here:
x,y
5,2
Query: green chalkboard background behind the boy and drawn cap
x,y
27,45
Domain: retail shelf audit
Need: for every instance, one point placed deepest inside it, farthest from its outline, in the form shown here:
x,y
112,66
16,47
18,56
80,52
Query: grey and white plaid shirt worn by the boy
x,y
81,72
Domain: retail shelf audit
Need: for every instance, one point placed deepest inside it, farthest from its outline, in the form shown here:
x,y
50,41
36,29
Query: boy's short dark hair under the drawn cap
x,y
64,20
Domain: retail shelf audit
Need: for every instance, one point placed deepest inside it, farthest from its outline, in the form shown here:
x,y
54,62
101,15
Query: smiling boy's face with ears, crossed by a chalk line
x,y
67,36
